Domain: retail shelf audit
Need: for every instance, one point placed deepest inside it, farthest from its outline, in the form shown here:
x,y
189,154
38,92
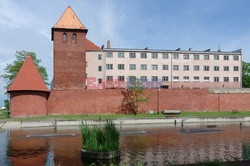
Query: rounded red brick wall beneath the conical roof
x,y
28,104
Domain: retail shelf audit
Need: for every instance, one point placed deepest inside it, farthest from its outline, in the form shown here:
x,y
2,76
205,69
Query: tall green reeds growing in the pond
x,y
100,139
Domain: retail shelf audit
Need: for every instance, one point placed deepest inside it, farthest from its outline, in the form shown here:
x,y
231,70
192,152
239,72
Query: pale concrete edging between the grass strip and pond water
x,y
175,121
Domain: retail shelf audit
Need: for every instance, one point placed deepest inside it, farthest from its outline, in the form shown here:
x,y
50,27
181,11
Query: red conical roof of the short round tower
x,y
28,78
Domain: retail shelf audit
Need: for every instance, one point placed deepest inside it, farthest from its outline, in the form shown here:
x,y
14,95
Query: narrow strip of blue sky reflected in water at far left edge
x,y
4,143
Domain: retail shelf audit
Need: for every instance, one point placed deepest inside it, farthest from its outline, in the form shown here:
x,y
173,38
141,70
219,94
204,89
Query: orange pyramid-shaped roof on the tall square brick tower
x,y
69,20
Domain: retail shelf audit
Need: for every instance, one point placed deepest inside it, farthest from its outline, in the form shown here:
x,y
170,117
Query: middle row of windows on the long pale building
x,y
165,67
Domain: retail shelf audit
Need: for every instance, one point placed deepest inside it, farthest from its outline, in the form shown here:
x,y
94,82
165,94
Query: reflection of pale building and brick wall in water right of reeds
x,y
171,146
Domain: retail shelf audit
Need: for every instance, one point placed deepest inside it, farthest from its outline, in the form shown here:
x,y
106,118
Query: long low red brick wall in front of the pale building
x,y
109,101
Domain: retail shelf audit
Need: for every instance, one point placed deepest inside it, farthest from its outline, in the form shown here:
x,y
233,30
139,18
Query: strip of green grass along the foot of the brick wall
x,y
128,116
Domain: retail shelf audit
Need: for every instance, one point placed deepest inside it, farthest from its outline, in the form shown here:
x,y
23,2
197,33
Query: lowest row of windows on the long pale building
x,y
175,78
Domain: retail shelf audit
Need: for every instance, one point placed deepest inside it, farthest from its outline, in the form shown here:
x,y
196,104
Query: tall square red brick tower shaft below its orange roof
x,y
69,60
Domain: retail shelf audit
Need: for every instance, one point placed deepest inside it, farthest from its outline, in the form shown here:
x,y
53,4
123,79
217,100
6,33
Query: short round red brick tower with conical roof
x,y
28,92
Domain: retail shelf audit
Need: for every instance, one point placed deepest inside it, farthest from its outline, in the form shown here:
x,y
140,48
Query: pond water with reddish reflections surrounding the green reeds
x,y
140,145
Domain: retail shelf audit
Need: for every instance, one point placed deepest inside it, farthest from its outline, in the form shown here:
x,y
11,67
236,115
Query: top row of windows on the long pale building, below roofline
x,y
166,56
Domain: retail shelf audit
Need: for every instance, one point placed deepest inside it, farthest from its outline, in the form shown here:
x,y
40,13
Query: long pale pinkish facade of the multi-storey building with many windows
x,y
169,68
